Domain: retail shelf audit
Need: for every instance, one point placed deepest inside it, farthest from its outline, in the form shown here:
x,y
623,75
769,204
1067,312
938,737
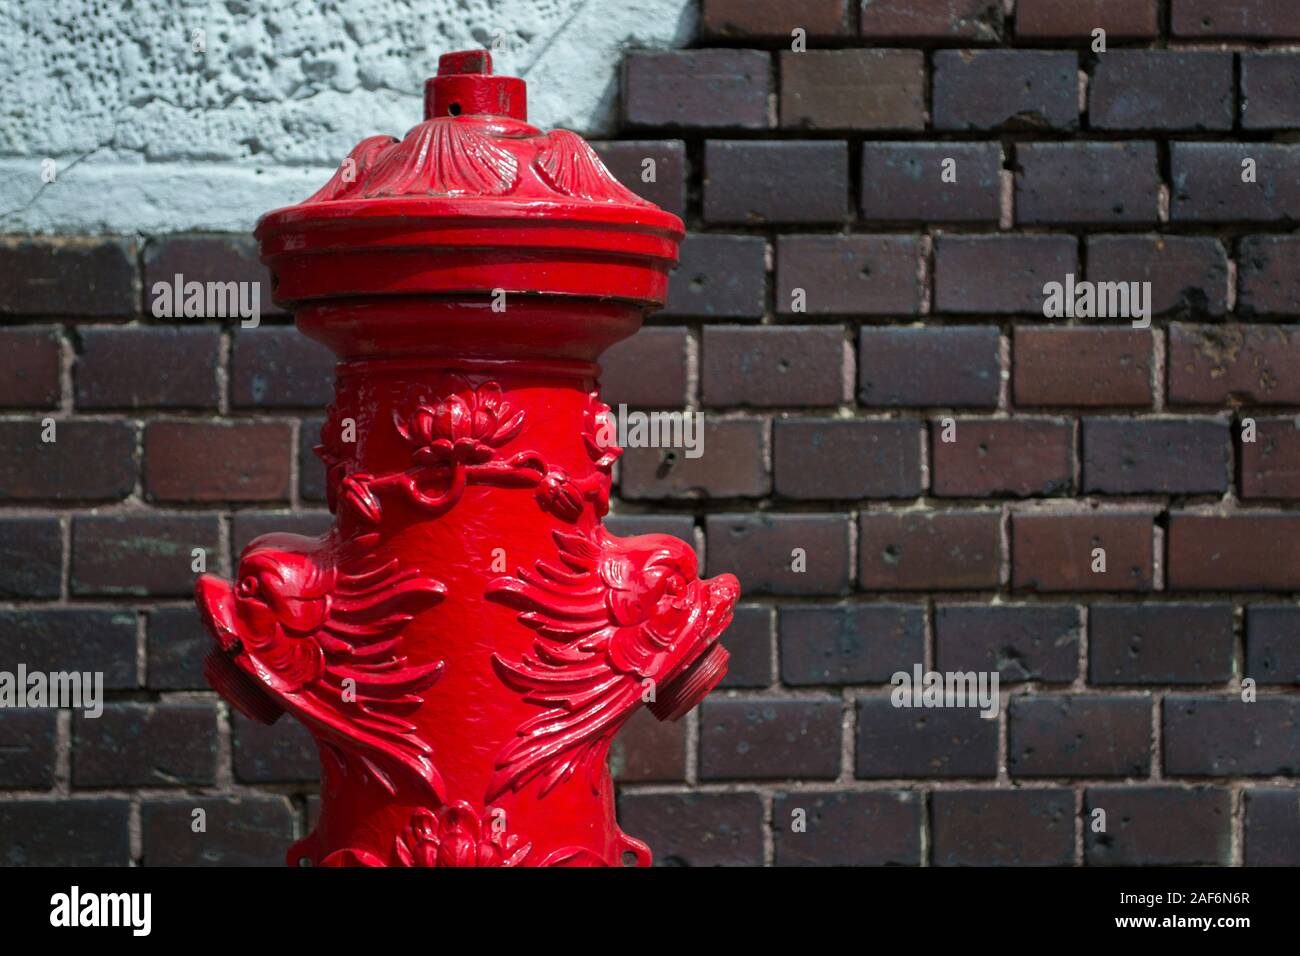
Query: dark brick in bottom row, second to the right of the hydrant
x,y
848,829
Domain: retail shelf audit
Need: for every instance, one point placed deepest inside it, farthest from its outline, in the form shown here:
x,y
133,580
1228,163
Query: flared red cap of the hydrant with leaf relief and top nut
x,y
473,201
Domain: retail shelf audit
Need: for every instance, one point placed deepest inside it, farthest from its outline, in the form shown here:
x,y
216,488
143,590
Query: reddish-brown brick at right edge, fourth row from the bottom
x,y
1241,552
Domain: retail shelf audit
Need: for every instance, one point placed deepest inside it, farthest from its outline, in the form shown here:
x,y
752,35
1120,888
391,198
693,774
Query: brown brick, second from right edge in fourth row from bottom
x,y
1054,552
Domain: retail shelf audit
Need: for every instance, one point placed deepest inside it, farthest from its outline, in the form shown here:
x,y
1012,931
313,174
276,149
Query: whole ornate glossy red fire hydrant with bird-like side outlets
x,y
469,639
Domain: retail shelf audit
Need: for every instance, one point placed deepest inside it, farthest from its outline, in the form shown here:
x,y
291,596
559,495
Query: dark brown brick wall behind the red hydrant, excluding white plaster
x,y
813,171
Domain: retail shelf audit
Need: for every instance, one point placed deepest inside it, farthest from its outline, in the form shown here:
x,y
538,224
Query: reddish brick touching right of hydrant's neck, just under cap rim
x,y
647,371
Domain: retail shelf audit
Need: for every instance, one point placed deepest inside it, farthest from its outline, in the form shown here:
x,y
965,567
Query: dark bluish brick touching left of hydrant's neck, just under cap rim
x,y
280,367
